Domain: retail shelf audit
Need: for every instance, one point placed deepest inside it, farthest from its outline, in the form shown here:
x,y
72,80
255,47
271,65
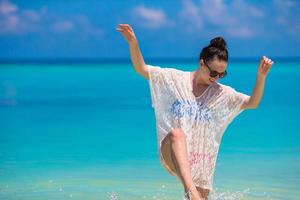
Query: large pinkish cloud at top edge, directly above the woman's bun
x,y
237,19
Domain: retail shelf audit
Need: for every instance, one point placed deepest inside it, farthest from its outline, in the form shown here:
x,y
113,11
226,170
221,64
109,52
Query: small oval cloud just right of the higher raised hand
x,y
149,17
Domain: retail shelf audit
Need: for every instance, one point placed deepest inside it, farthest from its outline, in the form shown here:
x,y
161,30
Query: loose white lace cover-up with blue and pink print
x,y
203,119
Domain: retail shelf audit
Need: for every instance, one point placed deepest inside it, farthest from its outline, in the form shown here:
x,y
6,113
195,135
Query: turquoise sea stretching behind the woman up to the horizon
x,y
87,131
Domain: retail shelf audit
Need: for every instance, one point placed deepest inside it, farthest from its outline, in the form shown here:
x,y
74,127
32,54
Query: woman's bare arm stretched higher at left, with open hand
x,y
135,53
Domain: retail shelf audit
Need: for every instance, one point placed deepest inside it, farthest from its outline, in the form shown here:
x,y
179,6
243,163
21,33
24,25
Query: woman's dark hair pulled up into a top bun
x,y
216,49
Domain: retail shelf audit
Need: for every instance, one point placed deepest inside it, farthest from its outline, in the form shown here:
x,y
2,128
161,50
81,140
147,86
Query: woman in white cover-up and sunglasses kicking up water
x,y
193,110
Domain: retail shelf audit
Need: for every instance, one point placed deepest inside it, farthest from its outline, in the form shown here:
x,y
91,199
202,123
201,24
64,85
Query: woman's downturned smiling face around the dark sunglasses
x,y
214,65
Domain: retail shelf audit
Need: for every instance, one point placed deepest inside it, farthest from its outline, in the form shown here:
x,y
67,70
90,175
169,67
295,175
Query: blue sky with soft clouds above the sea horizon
x,y
169,29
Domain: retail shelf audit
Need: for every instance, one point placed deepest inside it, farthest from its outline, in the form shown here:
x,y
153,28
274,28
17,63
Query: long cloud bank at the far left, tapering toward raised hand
x,y
18,21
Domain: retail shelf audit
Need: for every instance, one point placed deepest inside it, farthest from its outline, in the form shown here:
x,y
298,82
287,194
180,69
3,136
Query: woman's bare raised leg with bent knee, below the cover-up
x,y
180,159
